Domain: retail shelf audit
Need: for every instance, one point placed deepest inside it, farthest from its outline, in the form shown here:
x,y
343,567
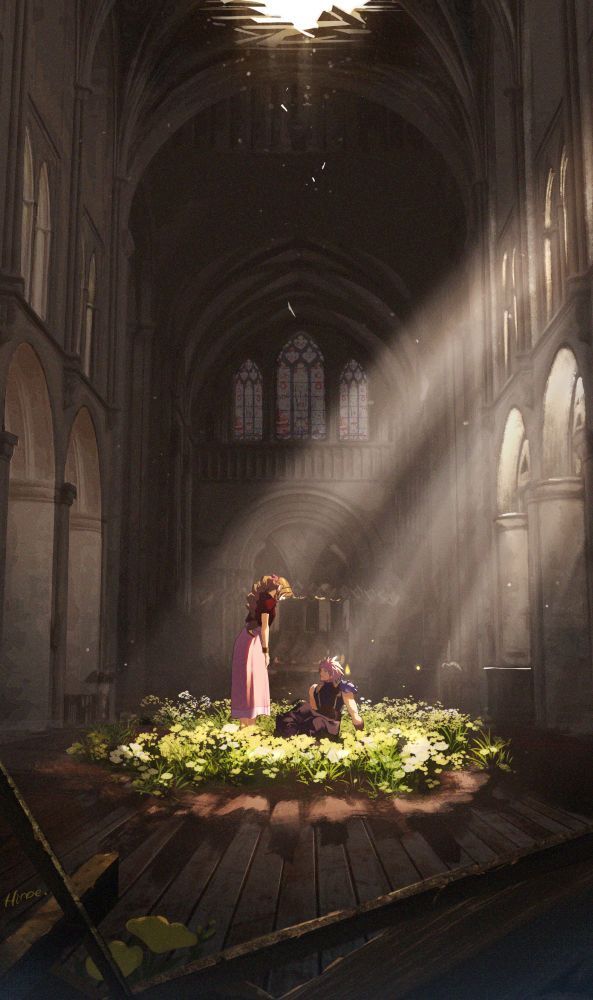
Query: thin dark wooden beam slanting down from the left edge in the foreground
x,y
16,812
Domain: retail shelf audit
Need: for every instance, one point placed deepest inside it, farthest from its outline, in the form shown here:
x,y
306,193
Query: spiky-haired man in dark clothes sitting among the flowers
x,y
321,716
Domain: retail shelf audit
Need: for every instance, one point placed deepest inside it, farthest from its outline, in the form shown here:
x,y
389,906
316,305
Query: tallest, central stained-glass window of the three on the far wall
x,y
300,391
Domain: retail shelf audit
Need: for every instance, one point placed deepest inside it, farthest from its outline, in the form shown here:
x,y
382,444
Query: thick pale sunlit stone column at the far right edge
x,y
560,632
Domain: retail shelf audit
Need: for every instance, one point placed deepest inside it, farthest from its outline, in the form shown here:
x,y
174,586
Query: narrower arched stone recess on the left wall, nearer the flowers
x,y
85,688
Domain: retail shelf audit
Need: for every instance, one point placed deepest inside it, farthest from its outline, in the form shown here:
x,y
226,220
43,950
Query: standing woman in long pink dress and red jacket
x,y
250,689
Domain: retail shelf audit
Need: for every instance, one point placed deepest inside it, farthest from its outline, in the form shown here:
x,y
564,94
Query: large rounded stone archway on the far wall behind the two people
x,y
298,527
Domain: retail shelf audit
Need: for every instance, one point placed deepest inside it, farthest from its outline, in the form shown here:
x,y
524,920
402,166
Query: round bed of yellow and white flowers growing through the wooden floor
x,y
187,742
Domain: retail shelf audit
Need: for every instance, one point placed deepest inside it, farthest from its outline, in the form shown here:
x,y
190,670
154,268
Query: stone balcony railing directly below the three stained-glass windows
x,y
318,461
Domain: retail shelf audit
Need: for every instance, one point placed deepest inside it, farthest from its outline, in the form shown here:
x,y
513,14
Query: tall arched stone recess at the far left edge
x,y
25,674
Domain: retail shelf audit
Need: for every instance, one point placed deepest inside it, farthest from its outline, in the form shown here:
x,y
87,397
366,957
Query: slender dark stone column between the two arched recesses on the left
x,y
59,629
